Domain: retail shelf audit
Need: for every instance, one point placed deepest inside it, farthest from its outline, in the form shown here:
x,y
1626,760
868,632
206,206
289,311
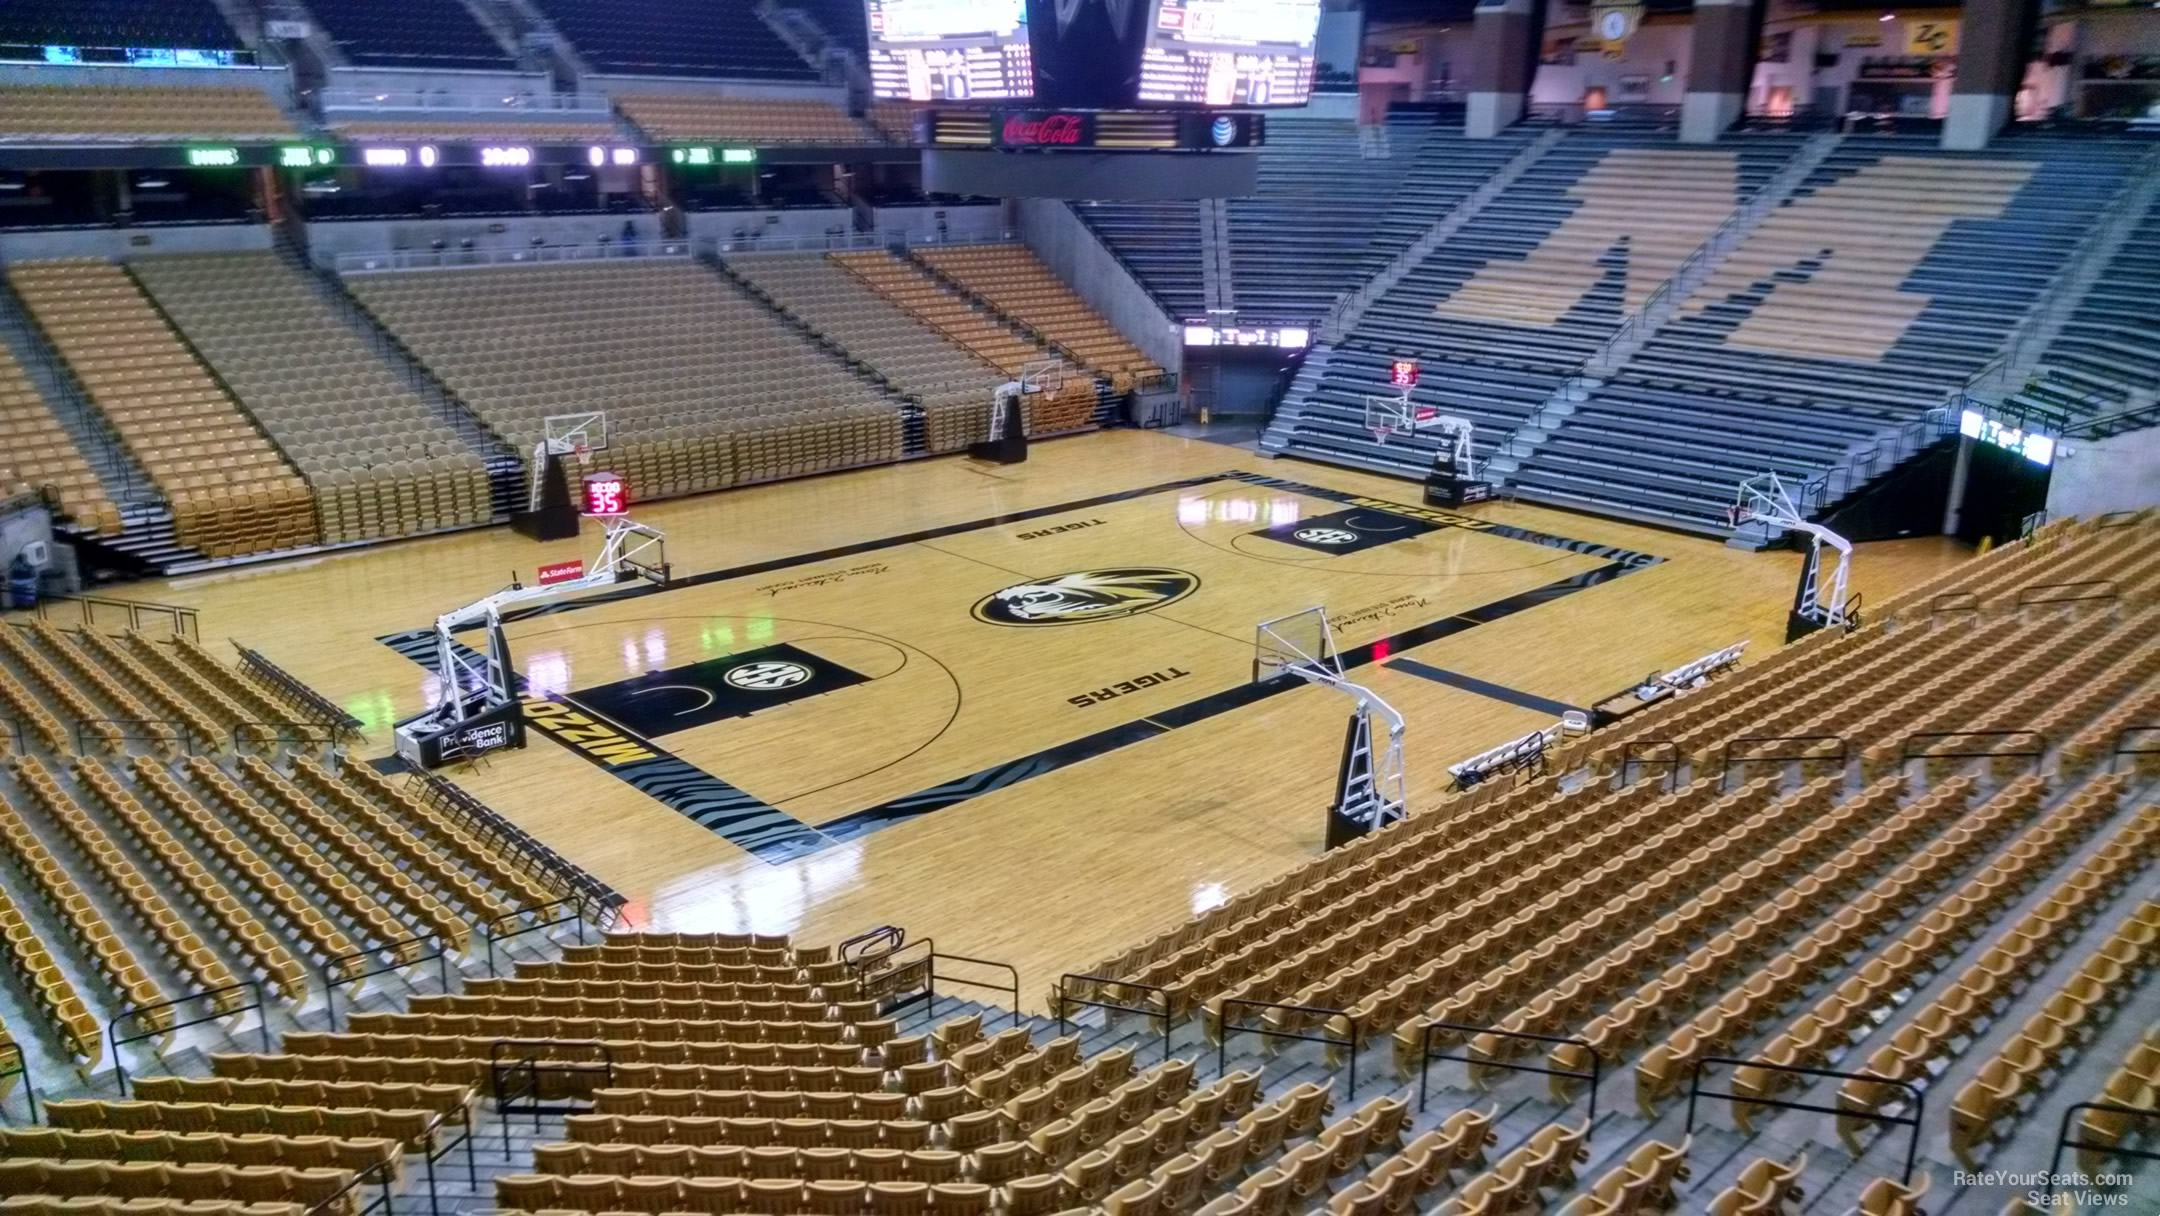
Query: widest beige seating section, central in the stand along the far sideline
x,y
703,386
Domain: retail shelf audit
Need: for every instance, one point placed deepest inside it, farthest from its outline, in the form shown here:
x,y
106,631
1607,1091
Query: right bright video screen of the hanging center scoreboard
x,y
1230,53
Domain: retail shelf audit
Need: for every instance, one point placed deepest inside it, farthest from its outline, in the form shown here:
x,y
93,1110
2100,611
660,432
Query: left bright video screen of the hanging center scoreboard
x,y
951,51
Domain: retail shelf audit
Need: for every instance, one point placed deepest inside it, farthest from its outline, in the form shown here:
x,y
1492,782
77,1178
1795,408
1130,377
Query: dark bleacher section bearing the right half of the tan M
x,y
1889,278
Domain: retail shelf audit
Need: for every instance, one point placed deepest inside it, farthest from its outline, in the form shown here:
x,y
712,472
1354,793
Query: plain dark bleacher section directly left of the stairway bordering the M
x,y
1308,234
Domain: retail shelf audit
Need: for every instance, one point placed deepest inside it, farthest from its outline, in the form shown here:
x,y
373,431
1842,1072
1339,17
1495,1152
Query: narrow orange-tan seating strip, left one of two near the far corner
x,y
1068,398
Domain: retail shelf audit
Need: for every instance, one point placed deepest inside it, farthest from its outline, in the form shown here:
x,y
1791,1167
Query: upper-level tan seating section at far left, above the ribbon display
x,y
139,113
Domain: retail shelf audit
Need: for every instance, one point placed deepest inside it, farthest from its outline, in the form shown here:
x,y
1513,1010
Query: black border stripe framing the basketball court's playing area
x,y
779,837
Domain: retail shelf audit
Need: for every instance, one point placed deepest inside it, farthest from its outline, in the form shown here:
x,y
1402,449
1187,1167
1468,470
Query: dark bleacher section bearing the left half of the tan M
x,y
1522,295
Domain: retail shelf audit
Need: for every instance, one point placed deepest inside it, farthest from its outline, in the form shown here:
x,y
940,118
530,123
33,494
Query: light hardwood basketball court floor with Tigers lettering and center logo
x,y
1036,794
